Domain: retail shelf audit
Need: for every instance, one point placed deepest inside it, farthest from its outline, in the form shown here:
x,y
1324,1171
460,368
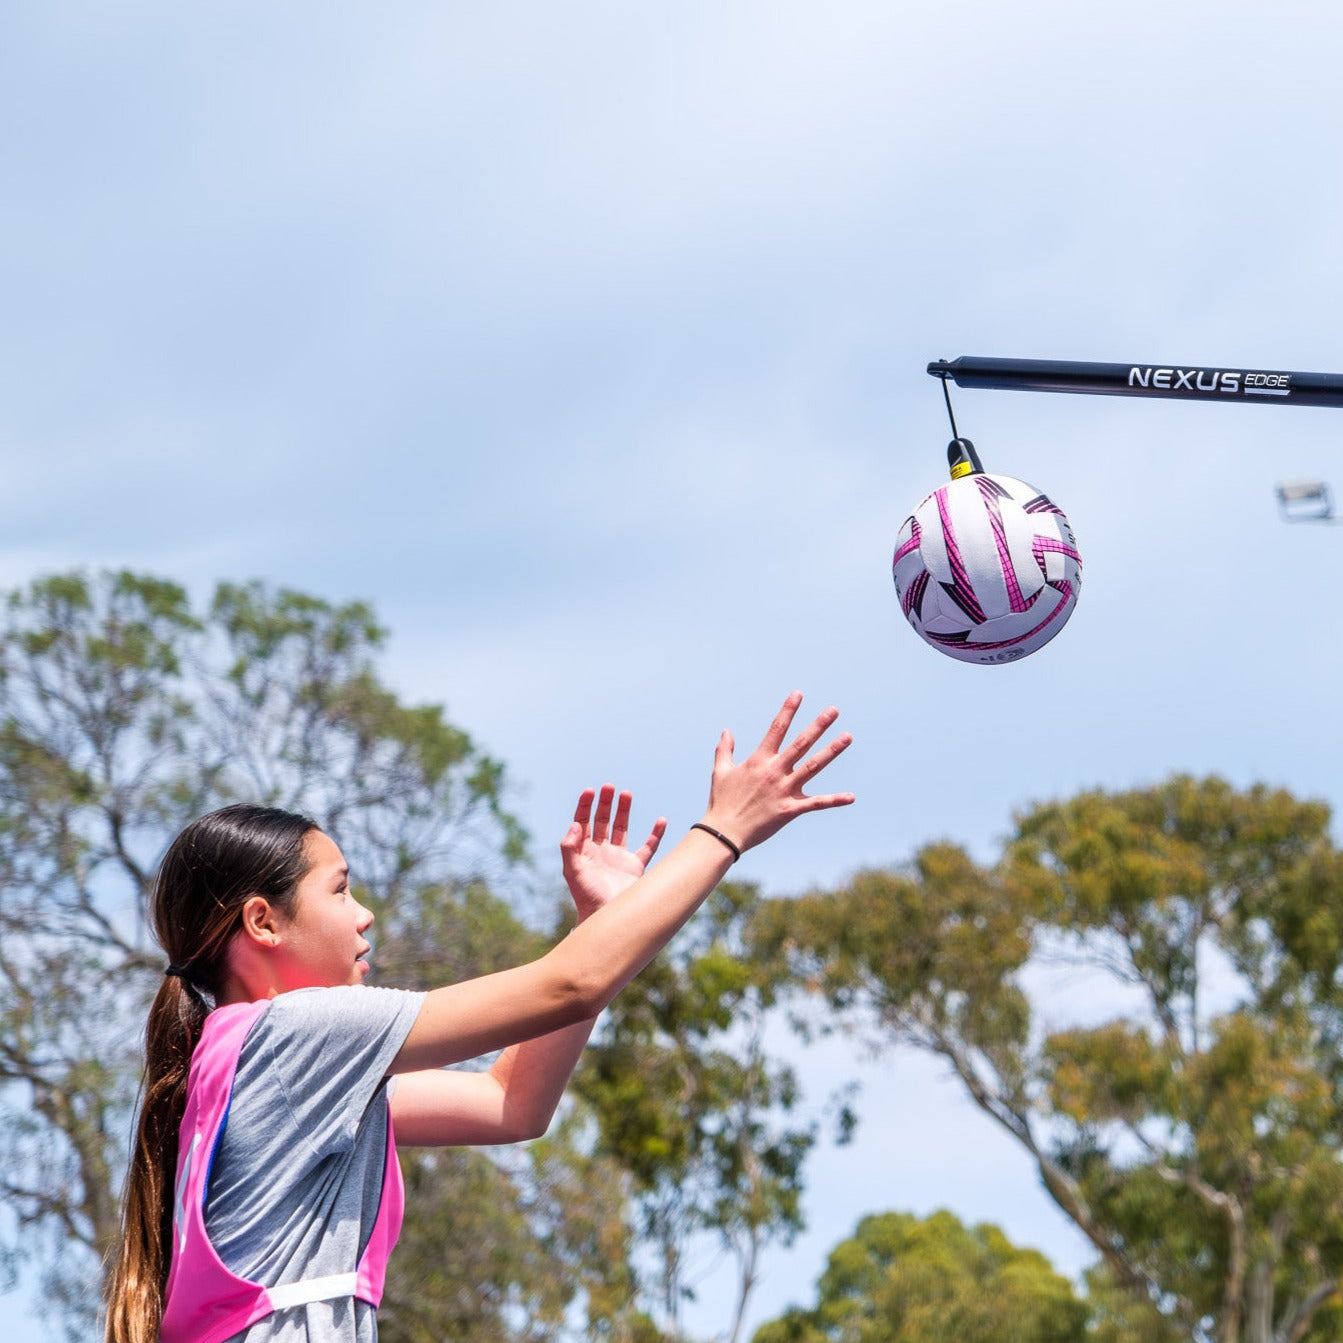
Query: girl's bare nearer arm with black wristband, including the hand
x,y
749,802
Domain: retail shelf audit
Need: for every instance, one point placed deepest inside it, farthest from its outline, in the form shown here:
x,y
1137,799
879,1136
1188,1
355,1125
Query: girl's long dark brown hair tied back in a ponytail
x,y
195,907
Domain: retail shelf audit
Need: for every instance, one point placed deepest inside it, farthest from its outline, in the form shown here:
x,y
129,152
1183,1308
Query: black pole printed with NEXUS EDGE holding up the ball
x,y
1188,382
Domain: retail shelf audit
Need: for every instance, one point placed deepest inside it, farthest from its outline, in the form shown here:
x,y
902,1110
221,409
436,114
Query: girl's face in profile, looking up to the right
x,y
323,941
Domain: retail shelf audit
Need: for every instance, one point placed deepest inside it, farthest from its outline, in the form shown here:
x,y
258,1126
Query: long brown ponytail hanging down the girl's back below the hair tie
x,y
140,1275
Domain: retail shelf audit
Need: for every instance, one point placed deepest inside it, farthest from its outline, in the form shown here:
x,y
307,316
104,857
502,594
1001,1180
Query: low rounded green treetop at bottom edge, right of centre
x,y
934,1281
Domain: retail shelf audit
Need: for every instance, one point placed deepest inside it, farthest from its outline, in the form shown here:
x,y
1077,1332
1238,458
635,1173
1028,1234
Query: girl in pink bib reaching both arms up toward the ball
x,y
264,1195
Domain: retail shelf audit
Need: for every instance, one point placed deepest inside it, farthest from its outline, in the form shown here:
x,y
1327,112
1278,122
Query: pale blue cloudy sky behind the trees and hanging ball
x,y
589,344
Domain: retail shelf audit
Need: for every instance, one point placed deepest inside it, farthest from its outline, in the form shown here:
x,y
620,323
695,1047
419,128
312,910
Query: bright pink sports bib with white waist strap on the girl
x,y
205,1302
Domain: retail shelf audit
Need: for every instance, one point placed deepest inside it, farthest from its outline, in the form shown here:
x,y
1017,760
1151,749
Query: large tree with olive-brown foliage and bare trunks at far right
x,y
1193,1136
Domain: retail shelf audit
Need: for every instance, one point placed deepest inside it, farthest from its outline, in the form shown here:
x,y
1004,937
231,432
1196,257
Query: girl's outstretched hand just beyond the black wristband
x,y
751,801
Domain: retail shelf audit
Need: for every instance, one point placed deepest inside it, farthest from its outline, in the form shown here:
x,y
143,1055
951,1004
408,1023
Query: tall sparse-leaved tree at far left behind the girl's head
x,y
124,712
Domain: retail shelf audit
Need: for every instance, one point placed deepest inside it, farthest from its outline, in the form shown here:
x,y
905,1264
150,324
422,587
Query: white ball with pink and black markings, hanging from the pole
x,y
988,569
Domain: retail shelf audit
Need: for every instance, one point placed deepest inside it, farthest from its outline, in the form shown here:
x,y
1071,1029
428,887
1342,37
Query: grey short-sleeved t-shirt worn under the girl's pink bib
x,y
297,1181
